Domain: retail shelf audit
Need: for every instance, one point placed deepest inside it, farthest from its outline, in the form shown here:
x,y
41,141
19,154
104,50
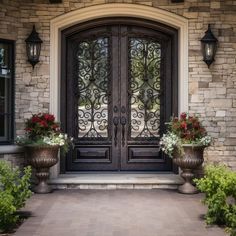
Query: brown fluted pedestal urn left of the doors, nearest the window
x,y
42,158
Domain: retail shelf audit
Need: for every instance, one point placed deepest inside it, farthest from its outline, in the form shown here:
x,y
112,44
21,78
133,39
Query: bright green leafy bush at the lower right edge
x,y
219,185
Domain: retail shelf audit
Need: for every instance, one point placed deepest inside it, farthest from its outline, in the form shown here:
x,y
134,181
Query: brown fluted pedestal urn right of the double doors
x,y
188,161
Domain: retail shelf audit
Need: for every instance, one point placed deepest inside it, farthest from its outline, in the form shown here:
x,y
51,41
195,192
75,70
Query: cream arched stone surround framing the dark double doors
x,y
114,10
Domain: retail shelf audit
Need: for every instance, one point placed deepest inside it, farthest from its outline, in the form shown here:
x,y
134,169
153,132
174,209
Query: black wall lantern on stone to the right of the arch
x,y
209,45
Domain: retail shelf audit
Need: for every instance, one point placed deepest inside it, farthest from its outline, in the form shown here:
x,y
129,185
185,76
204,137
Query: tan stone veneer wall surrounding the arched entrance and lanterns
x,y
212,92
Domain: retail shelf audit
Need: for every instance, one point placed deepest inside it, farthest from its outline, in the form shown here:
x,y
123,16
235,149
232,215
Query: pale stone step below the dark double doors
x,y
116,181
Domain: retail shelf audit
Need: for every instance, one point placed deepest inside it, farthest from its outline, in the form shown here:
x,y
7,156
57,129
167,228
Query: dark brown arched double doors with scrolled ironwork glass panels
x,y
119,91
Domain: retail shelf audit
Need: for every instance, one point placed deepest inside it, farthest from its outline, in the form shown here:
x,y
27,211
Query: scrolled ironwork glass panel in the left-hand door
x,y
93,76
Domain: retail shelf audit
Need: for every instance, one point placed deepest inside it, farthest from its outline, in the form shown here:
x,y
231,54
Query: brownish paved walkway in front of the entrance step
x,y
116,213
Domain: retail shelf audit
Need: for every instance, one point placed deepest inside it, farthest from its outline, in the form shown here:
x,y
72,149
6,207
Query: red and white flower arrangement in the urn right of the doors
x,y
184,130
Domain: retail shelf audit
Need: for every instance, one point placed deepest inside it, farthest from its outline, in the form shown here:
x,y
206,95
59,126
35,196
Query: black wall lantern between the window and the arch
x,y
33,47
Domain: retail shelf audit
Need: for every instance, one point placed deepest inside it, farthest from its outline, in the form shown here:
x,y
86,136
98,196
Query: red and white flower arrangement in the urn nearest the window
x,y
42,129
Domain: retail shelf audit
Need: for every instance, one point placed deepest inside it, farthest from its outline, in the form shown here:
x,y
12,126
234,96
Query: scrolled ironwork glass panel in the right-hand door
x,y
144,87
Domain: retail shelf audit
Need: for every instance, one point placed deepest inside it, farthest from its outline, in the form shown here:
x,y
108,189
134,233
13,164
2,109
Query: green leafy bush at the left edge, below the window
x,y
14,190
